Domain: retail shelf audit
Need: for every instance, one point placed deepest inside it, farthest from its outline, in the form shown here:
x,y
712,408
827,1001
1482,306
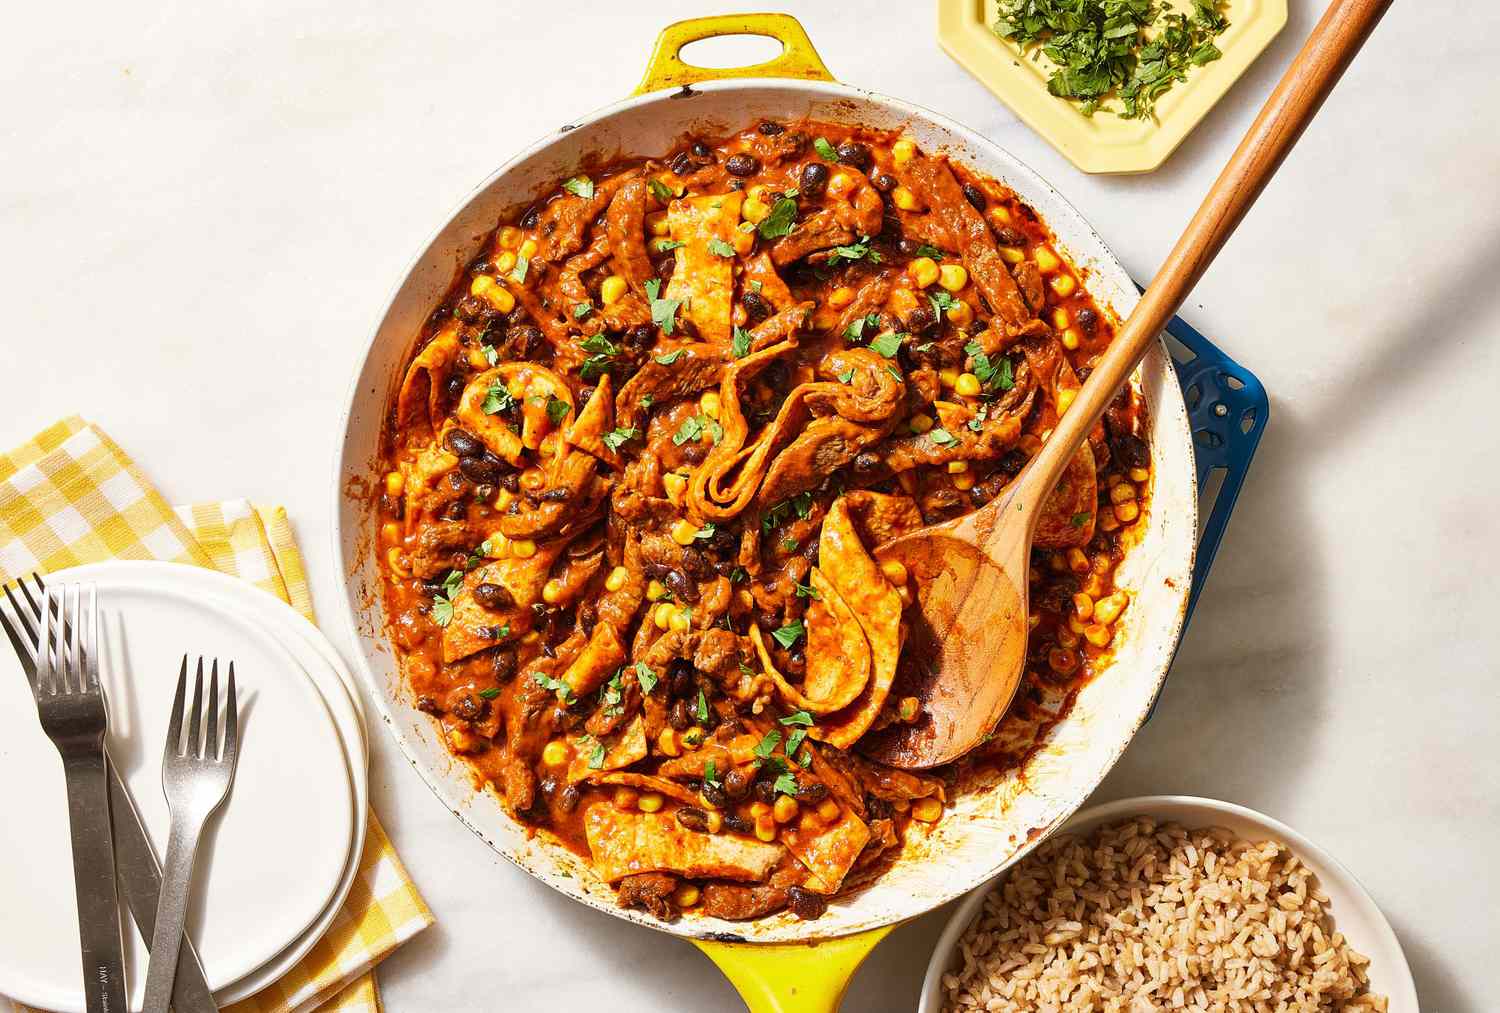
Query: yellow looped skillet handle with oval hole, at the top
x,y
799,58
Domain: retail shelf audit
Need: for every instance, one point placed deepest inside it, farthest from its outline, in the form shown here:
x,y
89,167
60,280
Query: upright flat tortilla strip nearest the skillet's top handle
x,y
704,280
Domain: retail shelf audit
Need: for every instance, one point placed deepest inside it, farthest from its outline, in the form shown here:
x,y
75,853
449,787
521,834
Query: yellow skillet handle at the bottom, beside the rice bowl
x,y
793,978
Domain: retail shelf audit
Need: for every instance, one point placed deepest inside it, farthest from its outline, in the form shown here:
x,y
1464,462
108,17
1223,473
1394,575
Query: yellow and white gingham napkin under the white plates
x,y
70,497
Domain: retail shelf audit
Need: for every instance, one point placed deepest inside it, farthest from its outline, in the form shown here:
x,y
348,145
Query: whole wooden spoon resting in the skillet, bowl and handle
x,y
968,631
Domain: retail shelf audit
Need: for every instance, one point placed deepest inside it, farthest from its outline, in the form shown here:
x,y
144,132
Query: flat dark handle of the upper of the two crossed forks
x,y
94,882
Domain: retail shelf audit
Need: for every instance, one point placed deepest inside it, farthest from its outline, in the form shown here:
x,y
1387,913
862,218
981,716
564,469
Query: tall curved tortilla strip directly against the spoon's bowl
x,y
877,606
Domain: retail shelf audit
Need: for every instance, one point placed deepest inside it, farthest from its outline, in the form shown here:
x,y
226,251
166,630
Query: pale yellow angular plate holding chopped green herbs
x,y
1105,143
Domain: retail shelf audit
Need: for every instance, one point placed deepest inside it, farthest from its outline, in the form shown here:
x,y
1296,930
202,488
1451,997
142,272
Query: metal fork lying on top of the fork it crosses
x,y
71,706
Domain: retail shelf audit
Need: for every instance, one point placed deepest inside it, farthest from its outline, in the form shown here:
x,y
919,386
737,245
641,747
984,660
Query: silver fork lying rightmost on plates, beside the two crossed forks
x,y
196,783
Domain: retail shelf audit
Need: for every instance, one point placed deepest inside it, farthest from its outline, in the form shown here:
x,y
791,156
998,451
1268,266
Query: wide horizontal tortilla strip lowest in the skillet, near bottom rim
x,y
628,843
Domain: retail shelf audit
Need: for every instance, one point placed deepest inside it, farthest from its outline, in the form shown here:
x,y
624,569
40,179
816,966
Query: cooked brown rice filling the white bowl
x,y
1142,916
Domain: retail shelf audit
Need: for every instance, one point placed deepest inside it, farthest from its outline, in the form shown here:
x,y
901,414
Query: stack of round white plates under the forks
x,y
277,865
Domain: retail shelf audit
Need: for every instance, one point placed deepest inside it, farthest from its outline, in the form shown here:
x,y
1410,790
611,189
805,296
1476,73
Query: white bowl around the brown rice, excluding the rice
x,y
1355,913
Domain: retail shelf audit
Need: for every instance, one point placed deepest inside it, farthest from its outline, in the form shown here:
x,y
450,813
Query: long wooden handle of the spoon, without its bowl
x,y
1300,95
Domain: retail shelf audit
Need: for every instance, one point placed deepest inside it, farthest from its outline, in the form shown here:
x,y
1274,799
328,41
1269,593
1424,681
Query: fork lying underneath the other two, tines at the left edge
x,y
139,874
